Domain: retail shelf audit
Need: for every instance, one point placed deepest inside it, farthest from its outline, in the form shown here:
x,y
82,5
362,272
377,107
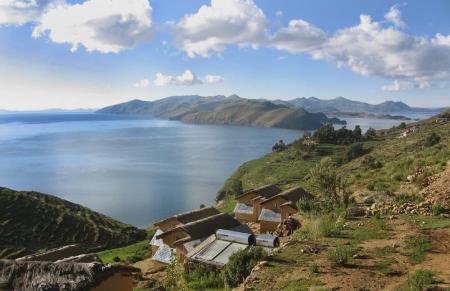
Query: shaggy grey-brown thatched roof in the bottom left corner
x,y
47,276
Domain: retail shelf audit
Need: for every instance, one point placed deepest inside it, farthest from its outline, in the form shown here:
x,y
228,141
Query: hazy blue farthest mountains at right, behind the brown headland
x,y
341,104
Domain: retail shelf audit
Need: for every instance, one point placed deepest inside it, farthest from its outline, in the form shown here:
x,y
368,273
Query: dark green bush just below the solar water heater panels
x,y
241,264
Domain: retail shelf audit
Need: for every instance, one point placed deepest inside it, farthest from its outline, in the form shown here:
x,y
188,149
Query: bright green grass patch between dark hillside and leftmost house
x,y
129,254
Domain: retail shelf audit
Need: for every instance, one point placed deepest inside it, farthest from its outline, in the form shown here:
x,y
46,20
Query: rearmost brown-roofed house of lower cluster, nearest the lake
x,y
185,217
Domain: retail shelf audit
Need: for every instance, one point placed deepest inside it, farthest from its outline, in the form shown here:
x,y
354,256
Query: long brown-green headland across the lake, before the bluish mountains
x,y
232,110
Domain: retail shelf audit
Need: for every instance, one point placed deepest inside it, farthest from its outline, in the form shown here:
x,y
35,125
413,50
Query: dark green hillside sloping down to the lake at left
x,y
32,221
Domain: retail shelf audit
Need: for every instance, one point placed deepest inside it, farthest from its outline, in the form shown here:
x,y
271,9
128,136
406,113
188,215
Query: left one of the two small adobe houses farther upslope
x,y
247,206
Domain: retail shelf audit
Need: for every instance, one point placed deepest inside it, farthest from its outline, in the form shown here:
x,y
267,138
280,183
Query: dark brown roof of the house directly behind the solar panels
x,y
206,226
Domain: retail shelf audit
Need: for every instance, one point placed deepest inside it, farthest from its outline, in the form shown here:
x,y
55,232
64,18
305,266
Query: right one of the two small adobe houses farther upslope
x,y
277,208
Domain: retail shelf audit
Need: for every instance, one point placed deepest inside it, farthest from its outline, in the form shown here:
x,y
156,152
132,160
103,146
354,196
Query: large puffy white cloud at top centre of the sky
x,y
222,23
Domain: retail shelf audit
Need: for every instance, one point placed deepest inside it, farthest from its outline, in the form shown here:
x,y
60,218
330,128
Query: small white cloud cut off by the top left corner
x,y
19,12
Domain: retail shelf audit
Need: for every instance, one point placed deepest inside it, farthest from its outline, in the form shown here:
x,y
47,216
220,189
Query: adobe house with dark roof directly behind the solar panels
x,y
186,237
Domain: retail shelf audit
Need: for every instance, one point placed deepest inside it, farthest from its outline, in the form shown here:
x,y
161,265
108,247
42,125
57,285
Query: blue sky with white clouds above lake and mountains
x,y
94,53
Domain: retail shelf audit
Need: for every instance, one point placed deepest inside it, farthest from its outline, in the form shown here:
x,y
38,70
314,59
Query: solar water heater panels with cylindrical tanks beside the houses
x,y
217,249
